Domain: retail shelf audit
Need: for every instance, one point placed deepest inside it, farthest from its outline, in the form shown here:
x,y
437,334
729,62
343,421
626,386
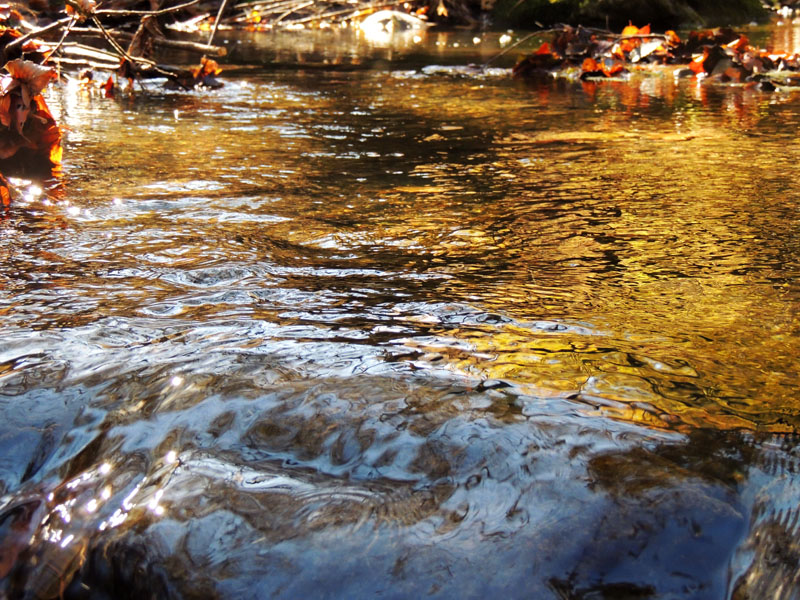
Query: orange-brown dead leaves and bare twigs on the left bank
x,y
33,55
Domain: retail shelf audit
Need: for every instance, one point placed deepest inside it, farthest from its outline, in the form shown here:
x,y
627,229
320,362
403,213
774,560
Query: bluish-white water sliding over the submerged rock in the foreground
x,y
416,478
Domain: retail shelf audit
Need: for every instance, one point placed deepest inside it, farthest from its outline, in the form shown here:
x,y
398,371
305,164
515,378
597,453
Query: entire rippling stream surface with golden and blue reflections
x,y
390,325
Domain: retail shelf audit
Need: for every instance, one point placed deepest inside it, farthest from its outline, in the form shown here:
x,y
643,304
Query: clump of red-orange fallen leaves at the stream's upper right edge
x,y
720,53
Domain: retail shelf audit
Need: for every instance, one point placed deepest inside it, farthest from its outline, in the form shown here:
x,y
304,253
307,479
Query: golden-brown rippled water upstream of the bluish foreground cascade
x,y
652,209
